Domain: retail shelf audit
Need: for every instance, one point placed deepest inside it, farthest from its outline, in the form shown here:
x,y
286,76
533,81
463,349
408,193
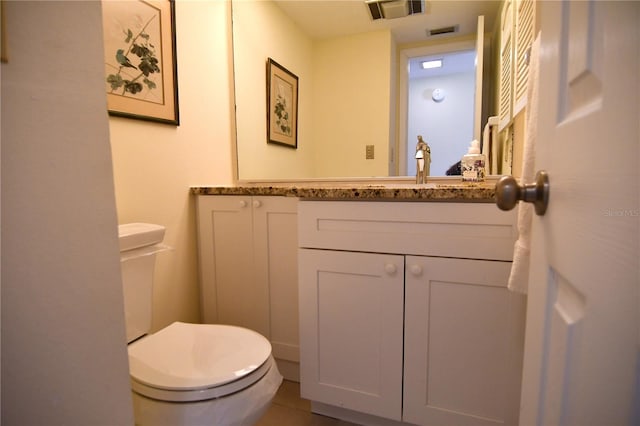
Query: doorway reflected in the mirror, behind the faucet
x,y
448,135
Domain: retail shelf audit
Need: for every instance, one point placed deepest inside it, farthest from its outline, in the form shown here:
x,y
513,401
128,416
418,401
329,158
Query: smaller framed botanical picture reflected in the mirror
x,y
282,105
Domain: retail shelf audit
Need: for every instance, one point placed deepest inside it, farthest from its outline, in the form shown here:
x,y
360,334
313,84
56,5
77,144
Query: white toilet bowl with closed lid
x,y
187,374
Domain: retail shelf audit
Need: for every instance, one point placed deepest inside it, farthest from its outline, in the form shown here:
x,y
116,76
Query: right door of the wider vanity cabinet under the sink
x,y
463,343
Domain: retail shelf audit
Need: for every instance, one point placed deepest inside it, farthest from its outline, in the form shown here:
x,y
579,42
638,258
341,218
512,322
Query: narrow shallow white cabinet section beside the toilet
x,y
248,268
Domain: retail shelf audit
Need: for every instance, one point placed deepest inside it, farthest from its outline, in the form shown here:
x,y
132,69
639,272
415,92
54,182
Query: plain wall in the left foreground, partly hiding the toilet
x,y
64,359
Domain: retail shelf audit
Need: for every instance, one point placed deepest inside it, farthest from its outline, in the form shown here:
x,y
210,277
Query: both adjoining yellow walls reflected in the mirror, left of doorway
x,y
341,108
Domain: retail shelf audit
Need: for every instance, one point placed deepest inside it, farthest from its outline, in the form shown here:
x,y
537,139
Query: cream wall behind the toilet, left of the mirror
x,y
155,164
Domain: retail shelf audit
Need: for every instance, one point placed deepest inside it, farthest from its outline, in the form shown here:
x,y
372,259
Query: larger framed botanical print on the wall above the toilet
x,y
140,60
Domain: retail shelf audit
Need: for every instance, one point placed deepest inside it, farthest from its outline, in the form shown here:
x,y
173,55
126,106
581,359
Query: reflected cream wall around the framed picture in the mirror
x,y
263,31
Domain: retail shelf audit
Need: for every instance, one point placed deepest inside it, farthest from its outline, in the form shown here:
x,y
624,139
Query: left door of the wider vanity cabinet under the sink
x,y
351,320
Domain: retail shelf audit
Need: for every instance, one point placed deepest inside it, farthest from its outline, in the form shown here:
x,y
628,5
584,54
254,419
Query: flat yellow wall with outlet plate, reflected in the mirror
x,y
351,104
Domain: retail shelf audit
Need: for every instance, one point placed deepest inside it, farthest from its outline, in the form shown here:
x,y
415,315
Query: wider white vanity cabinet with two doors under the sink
x,y
404,312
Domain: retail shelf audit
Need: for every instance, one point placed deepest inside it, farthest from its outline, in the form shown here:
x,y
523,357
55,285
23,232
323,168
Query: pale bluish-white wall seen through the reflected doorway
x,y
446,126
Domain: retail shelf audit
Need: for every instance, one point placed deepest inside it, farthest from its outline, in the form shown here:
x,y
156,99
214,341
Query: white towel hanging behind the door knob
x,y
519,278
